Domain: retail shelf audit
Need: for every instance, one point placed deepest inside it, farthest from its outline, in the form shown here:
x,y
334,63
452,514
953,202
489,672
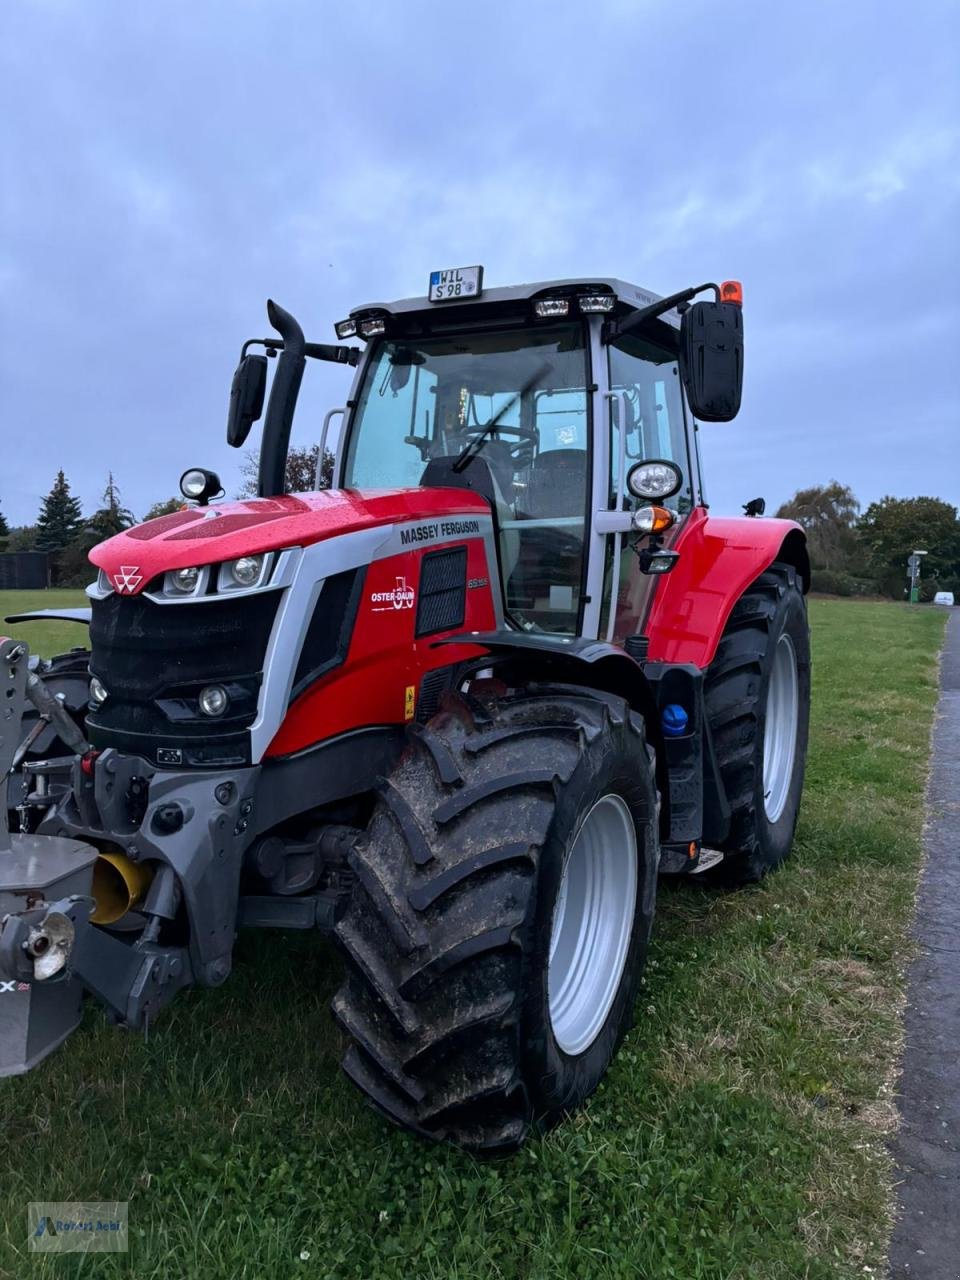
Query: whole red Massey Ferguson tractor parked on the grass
x,y
461,708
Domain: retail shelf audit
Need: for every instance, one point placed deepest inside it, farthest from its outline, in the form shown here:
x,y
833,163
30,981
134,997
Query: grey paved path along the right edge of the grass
x,y
927,1237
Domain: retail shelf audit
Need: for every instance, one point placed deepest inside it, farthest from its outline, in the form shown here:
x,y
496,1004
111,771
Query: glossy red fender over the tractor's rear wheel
x,y
720,557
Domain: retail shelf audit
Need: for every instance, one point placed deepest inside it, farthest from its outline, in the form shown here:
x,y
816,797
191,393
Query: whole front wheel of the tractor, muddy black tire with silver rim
x,y
451,995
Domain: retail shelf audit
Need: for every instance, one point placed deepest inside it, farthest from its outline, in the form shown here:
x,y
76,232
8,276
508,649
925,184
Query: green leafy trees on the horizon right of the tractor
x,y
857,552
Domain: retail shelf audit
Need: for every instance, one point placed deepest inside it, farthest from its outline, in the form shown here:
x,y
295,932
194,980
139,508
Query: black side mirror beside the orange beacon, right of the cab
x,y
712,359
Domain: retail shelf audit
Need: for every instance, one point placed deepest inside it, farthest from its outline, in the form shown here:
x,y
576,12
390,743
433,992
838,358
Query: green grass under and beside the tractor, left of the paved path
x,y
742,1132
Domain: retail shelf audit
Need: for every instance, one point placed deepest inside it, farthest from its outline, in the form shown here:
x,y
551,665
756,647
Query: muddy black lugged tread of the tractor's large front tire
x,y
438,931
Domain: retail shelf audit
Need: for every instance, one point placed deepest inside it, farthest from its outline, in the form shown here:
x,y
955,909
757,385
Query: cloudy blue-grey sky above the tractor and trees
x,y
170,167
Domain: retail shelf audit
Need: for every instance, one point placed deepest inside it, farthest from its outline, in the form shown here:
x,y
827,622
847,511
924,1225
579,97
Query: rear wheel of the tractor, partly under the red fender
x,y
757,694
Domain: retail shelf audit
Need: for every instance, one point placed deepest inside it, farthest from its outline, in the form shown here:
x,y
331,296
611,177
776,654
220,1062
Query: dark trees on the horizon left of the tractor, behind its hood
x,y
67,536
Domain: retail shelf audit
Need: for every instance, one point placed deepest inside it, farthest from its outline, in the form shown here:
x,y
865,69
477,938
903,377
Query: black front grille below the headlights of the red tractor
x,y
154,660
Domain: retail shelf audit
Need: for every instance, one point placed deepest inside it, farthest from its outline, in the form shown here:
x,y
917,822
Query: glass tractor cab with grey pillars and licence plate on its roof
x,y
546,400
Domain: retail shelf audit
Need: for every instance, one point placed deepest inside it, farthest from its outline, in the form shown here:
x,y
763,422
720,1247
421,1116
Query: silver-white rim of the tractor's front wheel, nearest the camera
x,y
593,922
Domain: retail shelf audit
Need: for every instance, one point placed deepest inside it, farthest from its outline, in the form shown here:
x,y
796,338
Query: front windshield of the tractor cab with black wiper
x,y
506,413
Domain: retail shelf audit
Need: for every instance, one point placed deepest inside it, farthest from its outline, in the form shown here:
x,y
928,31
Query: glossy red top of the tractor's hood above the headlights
x,y
228,531
